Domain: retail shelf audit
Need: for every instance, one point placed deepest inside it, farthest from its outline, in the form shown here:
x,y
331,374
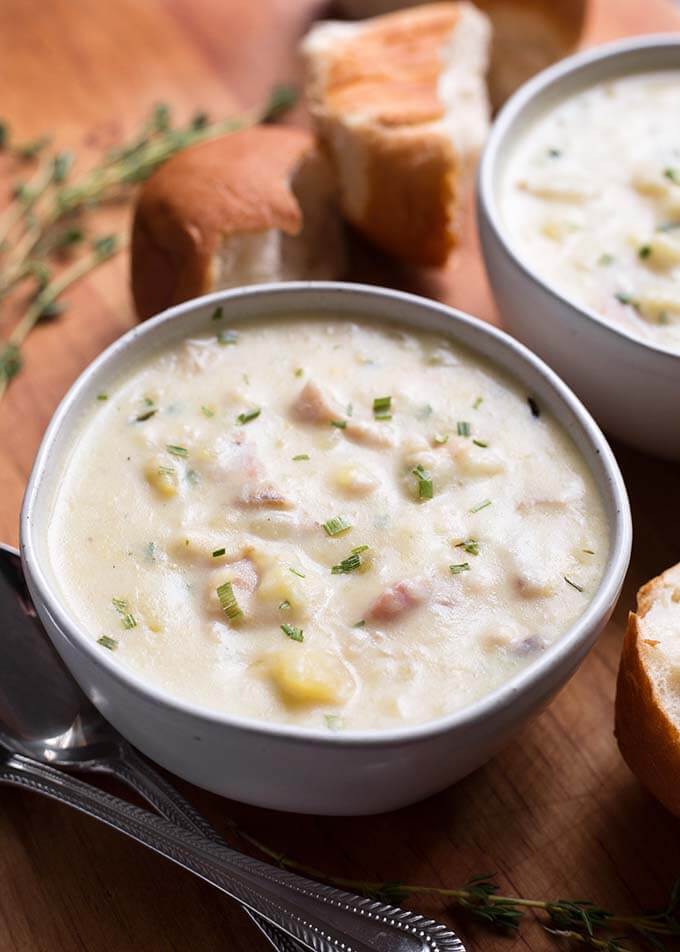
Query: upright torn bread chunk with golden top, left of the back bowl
x,y
400,103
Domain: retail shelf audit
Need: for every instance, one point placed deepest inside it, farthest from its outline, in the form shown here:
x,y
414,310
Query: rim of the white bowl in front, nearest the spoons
x,y
610,486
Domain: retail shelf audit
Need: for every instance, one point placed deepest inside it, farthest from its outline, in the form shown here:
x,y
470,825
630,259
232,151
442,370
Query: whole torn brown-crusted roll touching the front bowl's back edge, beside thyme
x,y
256,205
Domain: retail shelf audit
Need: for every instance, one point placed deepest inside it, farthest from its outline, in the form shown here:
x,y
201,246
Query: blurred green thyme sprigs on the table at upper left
x,y
47,215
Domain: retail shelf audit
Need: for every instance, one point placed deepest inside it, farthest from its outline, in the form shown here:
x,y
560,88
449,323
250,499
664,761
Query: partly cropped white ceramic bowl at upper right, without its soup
x,y
631,387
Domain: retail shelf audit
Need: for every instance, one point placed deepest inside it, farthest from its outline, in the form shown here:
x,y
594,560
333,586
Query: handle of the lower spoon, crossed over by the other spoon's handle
x,y
137,773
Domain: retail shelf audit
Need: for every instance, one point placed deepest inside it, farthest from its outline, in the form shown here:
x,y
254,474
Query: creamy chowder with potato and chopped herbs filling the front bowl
x,y
326,523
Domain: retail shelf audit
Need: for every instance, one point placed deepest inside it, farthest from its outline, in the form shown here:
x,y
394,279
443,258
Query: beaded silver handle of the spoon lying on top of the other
x,y
322,918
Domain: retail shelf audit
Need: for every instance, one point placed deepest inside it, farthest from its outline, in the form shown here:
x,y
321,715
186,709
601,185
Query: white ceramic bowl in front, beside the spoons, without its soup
x,y
281,766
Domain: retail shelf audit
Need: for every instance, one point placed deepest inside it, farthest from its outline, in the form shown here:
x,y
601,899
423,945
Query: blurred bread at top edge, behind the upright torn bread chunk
x,y
528,35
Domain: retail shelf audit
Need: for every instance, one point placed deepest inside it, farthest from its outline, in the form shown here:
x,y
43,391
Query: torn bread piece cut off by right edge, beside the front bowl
x,y
648,690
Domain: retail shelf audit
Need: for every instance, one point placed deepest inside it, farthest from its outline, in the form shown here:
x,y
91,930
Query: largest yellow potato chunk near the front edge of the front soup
x,y
308,676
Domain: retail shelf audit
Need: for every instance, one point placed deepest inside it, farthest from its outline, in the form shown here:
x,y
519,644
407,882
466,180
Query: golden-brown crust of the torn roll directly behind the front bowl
x,y
235,184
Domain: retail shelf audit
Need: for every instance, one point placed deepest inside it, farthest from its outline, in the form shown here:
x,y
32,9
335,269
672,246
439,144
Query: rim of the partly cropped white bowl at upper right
x,y
502,128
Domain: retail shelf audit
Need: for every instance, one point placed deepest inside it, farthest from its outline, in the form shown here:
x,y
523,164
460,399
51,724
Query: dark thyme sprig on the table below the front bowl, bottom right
x,y
577,921
